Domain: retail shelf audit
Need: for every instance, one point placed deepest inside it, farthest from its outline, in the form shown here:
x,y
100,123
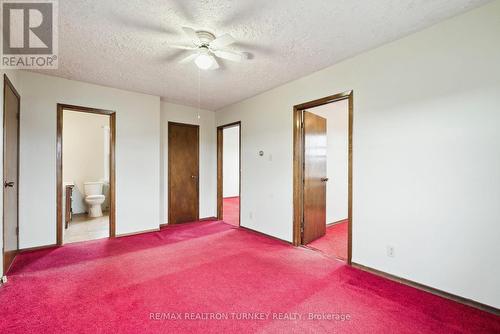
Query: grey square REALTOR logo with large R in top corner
x,y
29,34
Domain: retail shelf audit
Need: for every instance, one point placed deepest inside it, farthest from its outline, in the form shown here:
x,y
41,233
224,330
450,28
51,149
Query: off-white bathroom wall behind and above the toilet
x,y
83,152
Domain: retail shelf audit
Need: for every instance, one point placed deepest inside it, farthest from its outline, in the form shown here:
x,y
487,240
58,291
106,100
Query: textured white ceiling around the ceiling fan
x,y
123,44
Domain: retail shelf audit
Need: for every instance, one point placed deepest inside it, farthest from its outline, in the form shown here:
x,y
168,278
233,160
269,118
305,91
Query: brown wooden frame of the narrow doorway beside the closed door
x,y
220,145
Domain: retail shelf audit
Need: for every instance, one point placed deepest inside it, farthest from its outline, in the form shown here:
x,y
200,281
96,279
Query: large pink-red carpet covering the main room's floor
x,y
210,277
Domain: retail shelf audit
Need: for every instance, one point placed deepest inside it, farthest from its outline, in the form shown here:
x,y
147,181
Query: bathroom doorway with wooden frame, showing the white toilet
x,y
85,173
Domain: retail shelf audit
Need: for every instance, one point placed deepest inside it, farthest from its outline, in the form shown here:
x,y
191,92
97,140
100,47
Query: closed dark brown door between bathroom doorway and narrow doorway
x,y
183,172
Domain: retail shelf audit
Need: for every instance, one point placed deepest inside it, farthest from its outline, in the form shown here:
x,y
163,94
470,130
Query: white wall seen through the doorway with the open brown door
x,y
337,191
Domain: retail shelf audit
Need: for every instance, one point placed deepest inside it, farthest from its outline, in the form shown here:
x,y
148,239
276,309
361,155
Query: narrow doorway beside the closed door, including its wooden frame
x,y
229,173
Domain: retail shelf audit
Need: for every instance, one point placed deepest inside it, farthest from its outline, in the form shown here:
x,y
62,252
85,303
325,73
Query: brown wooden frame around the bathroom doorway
x,y
59,166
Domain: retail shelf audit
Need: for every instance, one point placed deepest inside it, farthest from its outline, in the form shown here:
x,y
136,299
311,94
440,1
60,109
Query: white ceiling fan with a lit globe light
x,y
207,48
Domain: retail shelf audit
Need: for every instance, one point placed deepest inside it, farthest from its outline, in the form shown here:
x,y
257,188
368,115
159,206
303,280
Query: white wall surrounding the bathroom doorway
x,y
137,154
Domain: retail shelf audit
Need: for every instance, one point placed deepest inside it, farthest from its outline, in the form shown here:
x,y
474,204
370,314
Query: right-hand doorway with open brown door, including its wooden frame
x,y
323,175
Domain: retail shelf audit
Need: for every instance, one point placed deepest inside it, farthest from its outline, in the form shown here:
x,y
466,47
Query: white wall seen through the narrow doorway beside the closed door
x,y
231,162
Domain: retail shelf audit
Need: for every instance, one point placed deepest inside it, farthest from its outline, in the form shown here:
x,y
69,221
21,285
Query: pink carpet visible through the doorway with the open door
x,y
334,242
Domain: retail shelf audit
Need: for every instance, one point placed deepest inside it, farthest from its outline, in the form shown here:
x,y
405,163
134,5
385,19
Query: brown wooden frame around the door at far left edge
x,y
8,83
